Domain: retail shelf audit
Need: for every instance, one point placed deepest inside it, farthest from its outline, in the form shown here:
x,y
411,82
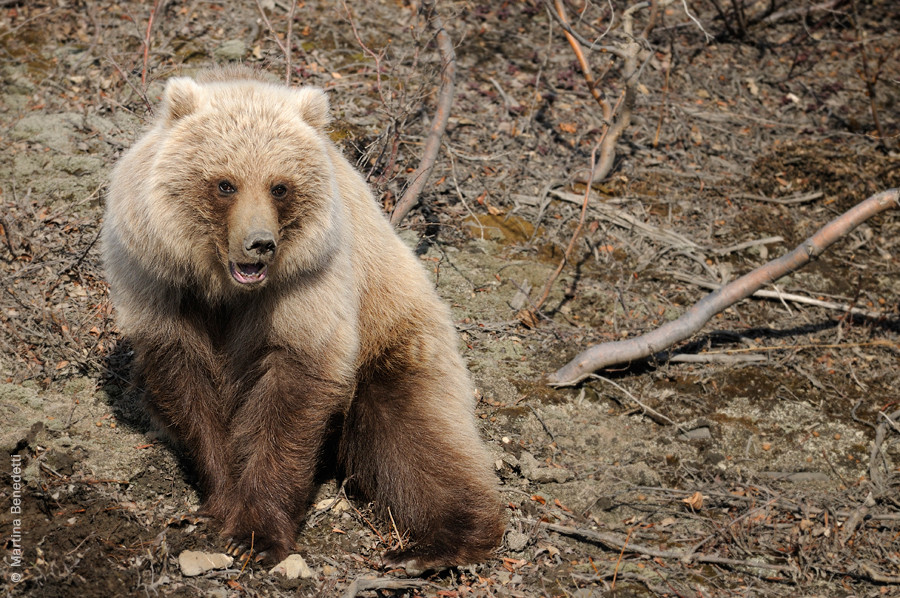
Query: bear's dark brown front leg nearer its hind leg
x,y
277,437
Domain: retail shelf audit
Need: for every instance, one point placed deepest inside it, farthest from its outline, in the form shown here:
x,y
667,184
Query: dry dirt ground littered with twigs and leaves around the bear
x,y
763,464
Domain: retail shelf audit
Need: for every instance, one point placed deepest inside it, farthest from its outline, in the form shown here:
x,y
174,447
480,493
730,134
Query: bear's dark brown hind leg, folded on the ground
x,y
430,475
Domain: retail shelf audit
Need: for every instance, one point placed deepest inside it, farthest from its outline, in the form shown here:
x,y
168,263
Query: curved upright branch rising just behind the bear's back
x,y
438,122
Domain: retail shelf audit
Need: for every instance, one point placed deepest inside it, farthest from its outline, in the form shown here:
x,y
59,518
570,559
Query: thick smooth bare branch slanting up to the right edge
x,y
606,354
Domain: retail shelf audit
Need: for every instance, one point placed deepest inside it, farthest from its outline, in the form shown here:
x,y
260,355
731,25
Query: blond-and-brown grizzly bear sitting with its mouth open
x,y
272,309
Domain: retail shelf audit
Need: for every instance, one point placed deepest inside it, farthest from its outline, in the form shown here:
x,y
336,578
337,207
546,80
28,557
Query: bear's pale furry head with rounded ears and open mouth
x,y
244,168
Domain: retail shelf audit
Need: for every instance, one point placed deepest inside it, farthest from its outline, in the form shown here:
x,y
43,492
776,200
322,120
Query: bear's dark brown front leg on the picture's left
x,y
184,391
